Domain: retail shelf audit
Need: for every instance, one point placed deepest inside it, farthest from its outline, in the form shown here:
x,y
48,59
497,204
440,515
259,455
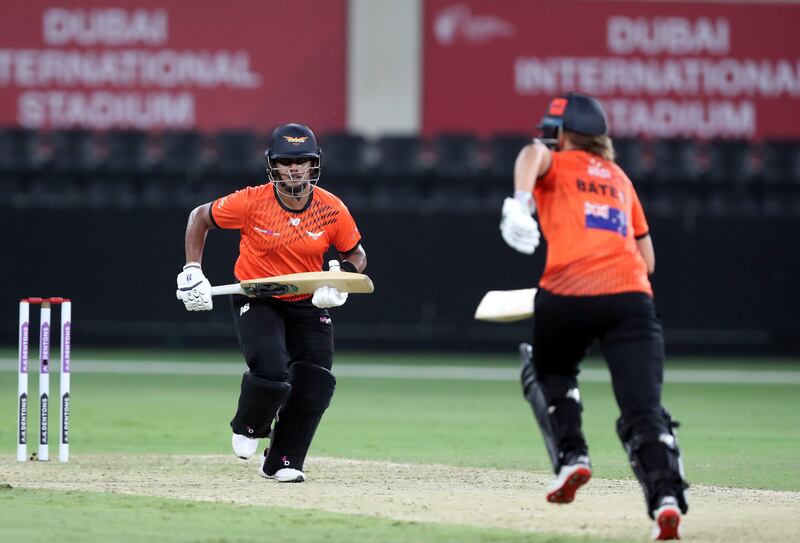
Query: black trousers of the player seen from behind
x,y
630,336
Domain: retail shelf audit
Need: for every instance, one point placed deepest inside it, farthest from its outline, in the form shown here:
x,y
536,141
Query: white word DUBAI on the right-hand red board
x,y
667,35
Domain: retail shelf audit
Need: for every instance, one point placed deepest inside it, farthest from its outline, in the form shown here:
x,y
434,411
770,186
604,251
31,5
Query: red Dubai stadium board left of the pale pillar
x,y
148,65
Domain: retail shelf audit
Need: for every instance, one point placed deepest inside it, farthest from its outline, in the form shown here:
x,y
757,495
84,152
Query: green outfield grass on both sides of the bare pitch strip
x,y
738,435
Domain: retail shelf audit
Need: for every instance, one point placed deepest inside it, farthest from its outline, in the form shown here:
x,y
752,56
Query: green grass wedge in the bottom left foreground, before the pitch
x,y
40,516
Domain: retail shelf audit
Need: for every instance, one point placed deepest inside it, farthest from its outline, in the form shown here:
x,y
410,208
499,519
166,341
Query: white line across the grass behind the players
x,y
382,371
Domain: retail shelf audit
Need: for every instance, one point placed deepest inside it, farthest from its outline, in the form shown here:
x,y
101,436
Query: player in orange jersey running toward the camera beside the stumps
x,y
286,226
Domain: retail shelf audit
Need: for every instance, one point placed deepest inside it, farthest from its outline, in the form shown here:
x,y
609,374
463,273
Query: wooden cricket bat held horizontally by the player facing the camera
x,y
298,283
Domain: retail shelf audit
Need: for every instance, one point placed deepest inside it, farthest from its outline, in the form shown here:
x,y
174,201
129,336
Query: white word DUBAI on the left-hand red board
x,y
104,26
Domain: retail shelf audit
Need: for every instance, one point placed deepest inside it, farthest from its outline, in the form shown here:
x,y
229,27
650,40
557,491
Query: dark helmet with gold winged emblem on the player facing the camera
x,y
293,141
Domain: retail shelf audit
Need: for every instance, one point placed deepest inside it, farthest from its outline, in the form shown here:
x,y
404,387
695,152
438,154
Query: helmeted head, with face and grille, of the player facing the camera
x,y
293,144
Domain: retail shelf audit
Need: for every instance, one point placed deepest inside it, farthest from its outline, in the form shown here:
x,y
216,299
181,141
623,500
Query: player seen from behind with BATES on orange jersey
x,y
595,286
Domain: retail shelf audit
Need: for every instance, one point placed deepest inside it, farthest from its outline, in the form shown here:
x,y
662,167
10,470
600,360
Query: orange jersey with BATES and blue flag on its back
x,y
591,217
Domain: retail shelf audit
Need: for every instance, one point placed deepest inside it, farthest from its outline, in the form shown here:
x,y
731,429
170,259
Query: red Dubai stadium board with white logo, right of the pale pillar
x,y
661,69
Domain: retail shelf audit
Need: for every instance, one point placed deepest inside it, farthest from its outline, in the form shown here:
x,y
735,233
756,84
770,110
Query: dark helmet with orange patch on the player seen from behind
x,y
573,112
